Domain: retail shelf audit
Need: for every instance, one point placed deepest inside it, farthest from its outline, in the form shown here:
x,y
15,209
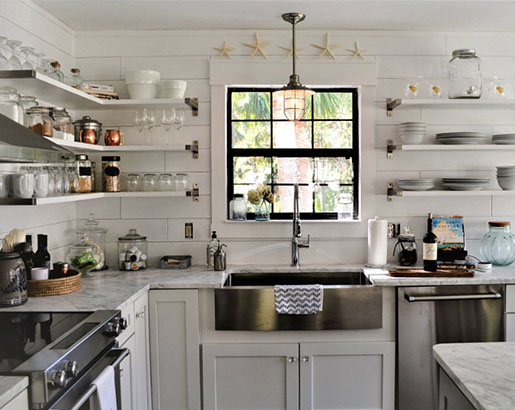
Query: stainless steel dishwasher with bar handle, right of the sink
x,y
444,314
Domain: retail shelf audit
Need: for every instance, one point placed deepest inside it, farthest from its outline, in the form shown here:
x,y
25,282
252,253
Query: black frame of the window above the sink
x,y
352,153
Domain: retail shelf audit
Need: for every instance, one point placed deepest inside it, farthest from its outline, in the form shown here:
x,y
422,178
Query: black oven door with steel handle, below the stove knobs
x,y
77,396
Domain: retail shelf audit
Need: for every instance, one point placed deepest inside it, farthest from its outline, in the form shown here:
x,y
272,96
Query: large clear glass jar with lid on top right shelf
x,y
465,79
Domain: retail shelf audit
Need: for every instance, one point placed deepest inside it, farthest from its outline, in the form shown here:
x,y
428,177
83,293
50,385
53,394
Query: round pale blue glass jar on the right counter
x,y
498,245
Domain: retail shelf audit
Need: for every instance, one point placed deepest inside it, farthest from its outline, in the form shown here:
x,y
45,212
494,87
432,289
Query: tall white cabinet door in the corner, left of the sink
x,y
174,349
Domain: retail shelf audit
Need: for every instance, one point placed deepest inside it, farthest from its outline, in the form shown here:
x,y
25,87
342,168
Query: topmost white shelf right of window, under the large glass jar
x,y
398,103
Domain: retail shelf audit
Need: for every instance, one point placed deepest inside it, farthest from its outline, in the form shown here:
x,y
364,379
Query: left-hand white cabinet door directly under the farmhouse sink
x,y
250,376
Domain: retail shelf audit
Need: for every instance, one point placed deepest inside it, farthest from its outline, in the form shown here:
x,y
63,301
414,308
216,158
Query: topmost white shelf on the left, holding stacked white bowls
x,y
31,82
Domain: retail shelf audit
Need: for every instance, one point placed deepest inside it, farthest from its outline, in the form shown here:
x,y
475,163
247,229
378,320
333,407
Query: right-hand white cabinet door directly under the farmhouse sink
x,y
341,376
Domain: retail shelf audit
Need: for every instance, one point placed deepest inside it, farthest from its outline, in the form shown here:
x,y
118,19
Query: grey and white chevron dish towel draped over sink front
x,y
298,299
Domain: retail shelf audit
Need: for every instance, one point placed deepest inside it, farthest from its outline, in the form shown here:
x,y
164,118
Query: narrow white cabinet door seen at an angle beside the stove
x,y
141,354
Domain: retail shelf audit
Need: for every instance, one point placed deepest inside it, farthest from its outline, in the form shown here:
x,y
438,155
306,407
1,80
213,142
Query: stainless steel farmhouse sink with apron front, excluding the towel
x,y
246,302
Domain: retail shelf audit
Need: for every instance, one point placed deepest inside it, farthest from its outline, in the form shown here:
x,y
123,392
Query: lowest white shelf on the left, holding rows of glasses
x,y
193,193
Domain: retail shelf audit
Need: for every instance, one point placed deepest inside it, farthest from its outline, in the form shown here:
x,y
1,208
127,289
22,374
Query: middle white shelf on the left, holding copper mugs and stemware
x,y
82,147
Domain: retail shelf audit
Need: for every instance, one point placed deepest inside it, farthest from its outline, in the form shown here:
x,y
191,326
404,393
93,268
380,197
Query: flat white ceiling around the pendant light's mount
x,y
456,15
